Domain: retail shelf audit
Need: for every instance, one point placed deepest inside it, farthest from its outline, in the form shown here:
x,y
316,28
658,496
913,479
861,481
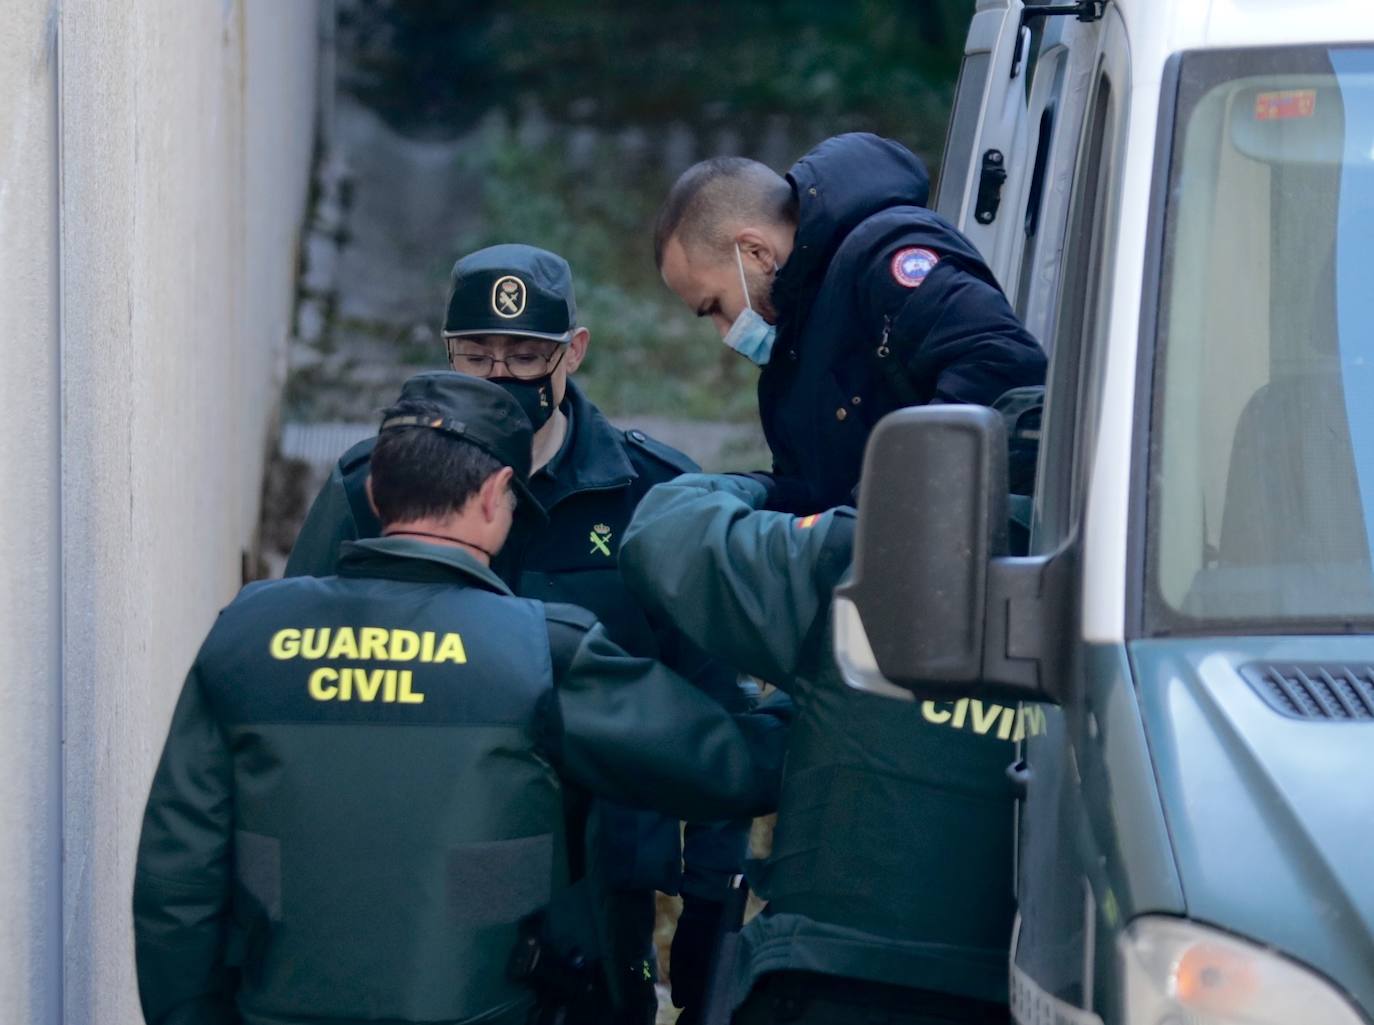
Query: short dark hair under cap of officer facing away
x,y
421,472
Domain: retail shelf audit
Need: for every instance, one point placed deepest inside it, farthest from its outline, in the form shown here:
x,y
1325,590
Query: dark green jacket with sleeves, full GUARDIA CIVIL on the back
x,y
361,792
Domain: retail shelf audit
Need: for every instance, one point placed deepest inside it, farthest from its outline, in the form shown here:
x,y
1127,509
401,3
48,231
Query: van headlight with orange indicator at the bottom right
x,y
1180,973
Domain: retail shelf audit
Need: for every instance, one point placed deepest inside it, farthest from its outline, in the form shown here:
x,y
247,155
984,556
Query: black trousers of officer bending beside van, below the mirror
x,y
803,998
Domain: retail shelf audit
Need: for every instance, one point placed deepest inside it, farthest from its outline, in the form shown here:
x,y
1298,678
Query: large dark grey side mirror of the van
x,y
934,608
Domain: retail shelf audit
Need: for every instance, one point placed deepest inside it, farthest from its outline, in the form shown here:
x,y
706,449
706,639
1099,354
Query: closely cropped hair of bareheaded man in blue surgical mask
x,y
711,194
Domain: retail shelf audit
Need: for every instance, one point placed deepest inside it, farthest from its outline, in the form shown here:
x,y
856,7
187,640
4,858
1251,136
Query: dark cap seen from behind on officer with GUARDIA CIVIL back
x,y
479,413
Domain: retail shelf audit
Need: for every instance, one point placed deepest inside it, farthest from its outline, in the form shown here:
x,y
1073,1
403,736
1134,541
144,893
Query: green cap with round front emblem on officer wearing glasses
x,y
517,291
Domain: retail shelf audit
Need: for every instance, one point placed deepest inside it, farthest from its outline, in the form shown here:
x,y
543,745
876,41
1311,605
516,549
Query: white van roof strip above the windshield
x,y
1160,28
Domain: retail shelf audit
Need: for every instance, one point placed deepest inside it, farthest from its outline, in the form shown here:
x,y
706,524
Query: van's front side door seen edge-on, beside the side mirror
x,y
1061,890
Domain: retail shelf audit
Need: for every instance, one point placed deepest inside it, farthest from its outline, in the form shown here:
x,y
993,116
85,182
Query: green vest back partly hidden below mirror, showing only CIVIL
x,y
897,821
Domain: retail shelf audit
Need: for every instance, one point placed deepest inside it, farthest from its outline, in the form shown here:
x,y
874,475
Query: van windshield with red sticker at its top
x,y
1262,499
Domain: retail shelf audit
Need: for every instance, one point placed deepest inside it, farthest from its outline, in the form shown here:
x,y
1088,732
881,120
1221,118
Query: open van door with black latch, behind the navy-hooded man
x,y
987,128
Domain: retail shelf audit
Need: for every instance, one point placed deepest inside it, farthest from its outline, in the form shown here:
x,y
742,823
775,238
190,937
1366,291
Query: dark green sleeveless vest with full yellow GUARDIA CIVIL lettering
x,y
394,815
